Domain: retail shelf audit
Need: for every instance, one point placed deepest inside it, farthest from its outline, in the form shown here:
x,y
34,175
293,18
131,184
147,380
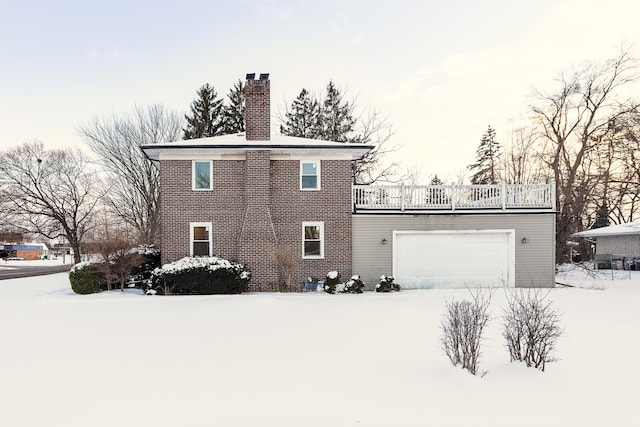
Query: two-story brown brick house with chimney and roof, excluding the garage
x,y
241,196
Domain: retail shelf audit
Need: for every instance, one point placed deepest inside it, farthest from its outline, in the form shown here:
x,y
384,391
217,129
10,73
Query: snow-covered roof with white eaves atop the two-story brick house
x,y
237,143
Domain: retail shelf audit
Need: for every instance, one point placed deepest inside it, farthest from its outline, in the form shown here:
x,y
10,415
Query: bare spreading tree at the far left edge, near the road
x,y
49,192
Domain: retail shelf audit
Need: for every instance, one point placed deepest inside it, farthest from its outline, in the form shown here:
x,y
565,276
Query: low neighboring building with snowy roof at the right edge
x,y
621,240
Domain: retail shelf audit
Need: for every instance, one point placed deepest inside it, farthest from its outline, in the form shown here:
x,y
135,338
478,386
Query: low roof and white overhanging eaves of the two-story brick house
x,y
236,145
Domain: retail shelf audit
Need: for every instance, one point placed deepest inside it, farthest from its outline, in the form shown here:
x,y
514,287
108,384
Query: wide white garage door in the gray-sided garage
x,y
454,259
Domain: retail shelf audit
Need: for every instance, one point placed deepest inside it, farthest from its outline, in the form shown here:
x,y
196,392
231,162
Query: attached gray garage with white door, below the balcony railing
x,y
455,250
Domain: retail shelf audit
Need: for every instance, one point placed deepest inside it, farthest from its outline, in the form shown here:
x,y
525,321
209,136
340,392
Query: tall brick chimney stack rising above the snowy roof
x,y
258,108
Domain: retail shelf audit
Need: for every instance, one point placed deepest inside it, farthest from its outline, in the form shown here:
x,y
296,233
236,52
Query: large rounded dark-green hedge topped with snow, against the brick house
x,y
200,276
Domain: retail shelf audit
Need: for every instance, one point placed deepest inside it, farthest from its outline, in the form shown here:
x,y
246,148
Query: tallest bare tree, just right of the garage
x,y
571,121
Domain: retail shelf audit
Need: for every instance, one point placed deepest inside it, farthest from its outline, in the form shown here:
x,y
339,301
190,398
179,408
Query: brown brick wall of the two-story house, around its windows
x,y
249,221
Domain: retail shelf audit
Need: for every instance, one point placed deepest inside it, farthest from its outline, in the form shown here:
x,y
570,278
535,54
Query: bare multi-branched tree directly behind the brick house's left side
x,y
133,181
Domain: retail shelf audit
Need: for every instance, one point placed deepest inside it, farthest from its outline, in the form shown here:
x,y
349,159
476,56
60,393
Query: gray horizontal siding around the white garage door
x,y
535,265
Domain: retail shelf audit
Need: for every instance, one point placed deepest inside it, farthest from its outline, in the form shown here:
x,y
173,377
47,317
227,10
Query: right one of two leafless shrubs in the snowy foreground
x,y
531,327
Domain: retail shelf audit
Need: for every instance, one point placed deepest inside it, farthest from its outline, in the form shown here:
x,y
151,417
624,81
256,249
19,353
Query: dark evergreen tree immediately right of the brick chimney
x,y
303,118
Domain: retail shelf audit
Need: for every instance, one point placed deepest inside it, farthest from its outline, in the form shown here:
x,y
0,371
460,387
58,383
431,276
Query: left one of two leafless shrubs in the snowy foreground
x,y
462,326
